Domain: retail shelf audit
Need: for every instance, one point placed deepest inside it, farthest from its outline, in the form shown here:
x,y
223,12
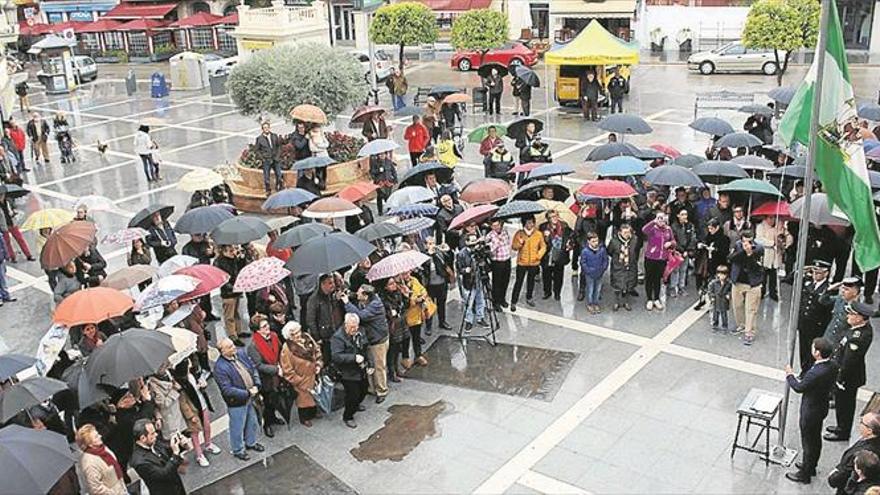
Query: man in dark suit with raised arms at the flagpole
x,y
815,386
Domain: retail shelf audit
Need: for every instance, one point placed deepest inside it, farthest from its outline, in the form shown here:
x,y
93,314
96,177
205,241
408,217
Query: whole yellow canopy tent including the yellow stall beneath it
x,y
593,50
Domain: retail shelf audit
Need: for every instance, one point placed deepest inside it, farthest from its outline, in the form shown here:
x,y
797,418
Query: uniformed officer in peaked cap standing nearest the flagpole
x,y
814,315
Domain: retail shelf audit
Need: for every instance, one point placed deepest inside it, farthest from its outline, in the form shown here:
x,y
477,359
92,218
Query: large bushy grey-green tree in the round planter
x,y
278,79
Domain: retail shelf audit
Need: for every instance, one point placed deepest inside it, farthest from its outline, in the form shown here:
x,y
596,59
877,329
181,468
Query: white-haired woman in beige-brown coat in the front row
x,y
300,365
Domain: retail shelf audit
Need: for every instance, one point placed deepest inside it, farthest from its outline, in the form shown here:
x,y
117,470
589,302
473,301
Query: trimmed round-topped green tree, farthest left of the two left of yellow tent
x,y
404,24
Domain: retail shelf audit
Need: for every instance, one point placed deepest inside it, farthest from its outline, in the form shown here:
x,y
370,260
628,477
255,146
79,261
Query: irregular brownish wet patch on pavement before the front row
x,y
407,427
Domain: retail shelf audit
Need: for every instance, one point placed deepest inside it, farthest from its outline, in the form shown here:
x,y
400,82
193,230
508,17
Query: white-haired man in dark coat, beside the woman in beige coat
x,y
349,351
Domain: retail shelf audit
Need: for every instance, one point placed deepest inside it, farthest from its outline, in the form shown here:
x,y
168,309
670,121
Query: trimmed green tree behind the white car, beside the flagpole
x,y
782,26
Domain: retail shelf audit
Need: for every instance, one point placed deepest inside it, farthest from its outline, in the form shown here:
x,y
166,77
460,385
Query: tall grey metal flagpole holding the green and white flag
x,y
781,454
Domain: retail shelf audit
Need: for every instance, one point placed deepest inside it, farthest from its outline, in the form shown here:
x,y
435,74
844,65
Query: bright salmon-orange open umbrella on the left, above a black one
x,y
91,306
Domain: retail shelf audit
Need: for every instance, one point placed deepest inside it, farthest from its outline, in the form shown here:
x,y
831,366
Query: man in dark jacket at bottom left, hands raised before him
x,y
155,462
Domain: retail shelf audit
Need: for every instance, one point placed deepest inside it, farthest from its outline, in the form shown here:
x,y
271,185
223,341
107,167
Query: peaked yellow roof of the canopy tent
x,y
594,46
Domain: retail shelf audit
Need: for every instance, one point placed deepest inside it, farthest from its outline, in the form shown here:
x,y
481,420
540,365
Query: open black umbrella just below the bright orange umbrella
x,y
128,355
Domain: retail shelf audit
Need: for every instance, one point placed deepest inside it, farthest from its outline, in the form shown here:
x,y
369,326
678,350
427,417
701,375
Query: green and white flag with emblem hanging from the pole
x,y
840,158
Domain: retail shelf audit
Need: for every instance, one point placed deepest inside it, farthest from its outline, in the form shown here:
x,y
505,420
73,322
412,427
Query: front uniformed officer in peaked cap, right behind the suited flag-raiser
x,y
850,356
